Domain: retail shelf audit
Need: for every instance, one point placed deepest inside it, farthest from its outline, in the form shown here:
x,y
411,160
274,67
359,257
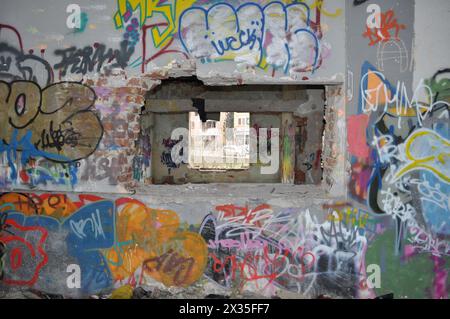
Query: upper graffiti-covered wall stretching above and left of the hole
x,y
117,51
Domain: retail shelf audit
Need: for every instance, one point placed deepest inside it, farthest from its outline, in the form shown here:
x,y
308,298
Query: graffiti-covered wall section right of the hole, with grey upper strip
x,y
398,138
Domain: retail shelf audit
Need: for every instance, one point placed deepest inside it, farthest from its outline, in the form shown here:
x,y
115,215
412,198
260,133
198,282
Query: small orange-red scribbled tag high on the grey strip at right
x,y
383,33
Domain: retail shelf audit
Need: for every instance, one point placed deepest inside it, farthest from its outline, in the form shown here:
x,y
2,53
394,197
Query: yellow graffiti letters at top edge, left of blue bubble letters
x,y
171,13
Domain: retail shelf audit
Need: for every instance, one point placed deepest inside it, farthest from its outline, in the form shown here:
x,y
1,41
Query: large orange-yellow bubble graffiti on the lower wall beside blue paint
x,y
152,239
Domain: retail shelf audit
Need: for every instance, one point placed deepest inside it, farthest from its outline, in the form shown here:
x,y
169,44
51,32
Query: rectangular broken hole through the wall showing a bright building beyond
x,y
286,120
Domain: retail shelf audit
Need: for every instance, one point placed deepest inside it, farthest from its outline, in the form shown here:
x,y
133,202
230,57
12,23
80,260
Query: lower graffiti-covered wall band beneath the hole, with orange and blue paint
x,y
77,245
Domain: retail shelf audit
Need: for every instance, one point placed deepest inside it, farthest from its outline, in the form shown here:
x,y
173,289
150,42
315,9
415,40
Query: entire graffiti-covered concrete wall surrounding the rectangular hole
x,y
76,153
